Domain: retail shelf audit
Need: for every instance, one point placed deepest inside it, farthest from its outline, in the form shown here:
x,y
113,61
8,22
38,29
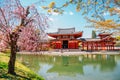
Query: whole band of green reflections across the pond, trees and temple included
x,y
66,65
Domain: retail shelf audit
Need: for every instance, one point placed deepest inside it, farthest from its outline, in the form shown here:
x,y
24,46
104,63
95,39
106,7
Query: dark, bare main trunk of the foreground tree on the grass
x,y
13,45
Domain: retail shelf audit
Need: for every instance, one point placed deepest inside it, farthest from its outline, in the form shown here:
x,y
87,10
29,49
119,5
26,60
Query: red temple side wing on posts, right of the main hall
x,y
105,42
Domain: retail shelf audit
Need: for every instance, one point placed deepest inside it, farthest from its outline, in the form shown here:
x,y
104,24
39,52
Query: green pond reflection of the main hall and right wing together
x,y
76,64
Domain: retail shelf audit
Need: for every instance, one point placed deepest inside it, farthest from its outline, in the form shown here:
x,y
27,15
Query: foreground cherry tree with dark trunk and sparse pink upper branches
x,y
13,18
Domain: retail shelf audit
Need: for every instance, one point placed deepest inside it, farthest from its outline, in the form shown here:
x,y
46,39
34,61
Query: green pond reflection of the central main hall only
x,y
67,65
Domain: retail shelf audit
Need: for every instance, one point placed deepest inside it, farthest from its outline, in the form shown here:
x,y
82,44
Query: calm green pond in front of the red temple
x,y
82,67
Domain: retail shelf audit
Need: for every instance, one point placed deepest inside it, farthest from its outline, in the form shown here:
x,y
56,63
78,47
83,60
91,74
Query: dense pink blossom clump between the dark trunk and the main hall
x,y
29,39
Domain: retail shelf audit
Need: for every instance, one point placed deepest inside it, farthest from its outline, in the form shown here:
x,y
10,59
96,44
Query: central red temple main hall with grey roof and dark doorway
x,y
65,38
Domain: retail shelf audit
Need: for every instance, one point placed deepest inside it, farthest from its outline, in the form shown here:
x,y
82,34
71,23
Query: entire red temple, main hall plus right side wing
x,y
70,39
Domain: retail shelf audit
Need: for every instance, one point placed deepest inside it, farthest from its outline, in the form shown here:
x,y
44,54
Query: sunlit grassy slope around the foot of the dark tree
x,y
22,72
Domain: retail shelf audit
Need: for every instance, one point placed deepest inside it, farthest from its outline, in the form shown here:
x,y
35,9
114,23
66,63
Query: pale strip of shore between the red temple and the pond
x,y
67,53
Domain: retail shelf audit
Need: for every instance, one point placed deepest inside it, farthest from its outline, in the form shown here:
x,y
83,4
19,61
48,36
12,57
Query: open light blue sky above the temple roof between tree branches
x,y
69,19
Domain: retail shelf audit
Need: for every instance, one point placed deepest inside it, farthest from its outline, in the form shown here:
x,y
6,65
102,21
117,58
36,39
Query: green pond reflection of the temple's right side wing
x,y
106,62
